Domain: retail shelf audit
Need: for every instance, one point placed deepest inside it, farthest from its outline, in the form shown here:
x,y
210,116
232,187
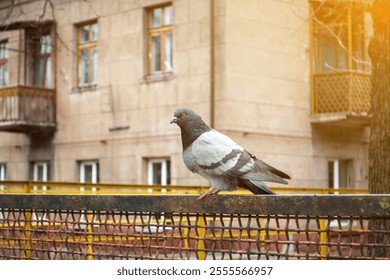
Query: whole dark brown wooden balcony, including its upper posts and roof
x,y
27,77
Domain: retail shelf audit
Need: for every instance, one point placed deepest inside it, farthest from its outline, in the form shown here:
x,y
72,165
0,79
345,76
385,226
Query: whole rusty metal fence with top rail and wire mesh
x,y
182,227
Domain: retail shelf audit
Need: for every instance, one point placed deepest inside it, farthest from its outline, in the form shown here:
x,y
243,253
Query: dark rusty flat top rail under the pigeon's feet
x,y
312,205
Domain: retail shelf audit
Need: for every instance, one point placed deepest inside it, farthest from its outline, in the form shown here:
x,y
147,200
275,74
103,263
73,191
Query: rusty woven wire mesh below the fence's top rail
x,y
83,234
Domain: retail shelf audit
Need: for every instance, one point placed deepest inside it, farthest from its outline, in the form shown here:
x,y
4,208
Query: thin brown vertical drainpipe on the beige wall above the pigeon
x,y
212,65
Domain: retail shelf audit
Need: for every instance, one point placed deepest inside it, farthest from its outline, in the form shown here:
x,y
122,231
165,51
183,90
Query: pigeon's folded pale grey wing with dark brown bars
x,y
217,154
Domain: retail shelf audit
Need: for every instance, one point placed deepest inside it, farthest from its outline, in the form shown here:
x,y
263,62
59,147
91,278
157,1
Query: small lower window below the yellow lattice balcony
x,y
339,174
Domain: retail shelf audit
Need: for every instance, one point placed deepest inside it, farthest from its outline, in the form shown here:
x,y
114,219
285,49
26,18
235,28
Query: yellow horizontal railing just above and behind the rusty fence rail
x,y
53,187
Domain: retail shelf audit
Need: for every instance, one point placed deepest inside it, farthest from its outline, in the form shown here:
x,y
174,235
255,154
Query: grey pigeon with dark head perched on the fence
x,y
221,161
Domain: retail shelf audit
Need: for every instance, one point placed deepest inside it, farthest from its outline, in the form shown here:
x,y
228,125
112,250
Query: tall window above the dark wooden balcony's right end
x,y
42,62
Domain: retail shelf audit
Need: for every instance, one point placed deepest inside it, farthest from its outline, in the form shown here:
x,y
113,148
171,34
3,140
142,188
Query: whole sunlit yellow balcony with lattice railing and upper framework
x,y
340,64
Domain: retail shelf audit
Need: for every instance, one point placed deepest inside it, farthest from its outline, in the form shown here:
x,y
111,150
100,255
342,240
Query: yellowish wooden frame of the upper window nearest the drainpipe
x,y
162,30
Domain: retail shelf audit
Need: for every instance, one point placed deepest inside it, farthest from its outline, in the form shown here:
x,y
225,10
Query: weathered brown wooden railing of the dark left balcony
x,y
27,109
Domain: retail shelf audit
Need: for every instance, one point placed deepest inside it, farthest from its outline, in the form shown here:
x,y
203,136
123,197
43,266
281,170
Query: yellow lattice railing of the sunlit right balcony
x,y
341,95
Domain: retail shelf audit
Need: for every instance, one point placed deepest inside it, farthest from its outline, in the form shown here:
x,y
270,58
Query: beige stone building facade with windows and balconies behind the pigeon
x,y
88,88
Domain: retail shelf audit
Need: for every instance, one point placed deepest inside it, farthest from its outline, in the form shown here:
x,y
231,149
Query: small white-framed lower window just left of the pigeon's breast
x,y
159,172
